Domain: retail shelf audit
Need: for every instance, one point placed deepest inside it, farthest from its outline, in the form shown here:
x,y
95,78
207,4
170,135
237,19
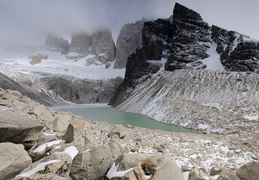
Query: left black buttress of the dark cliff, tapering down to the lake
x,y
139,64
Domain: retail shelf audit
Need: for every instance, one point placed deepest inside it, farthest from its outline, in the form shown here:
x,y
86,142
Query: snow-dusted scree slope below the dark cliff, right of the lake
x,y
200,99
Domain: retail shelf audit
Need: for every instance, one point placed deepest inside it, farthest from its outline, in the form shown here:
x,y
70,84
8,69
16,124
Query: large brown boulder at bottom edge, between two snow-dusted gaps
x,y
92,164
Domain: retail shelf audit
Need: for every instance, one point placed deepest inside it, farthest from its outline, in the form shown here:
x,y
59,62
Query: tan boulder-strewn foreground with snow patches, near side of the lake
x,y
42,143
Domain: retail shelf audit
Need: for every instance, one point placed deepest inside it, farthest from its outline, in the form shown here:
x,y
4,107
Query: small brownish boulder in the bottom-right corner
x,y
249,171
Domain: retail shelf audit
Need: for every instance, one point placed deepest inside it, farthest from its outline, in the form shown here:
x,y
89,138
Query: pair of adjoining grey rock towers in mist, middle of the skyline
x,y
99,44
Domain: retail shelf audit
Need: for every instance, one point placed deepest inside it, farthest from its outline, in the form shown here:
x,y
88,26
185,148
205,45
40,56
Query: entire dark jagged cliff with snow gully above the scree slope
x,y
185,41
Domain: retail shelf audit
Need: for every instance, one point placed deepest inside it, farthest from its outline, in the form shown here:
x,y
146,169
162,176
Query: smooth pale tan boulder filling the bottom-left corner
x,y
13,159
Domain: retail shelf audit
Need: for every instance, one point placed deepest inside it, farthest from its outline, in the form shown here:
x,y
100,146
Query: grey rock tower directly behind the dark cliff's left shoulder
x,y
129,39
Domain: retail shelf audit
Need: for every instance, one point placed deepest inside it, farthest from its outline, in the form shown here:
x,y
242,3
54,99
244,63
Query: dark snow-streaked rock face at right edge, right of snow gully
x,y
237,51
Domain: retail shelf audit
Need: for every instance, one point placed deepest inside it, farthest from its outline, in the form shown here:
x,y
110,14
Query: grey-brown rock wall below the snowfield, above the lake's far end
x,y
80,90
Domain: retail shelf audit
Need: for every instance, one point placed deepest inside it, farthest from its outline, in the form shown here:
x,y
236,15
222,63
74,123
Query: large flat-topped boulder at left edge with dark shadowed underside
x,y
18,128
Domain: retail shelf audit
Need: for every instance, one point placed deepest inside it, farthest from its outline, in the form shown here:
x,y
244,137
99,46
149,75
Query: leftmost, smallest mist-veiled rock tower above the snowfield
x,y
56,43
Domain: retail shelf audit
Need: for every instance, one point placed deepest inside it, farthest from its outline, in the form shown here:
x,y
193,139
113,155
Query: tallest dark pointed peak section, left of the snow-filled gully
x,y
190,35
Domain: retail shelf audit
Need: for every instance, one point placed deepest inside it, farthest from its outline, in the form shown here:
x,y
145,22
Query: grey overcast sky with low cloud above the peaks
x,y
27,20
